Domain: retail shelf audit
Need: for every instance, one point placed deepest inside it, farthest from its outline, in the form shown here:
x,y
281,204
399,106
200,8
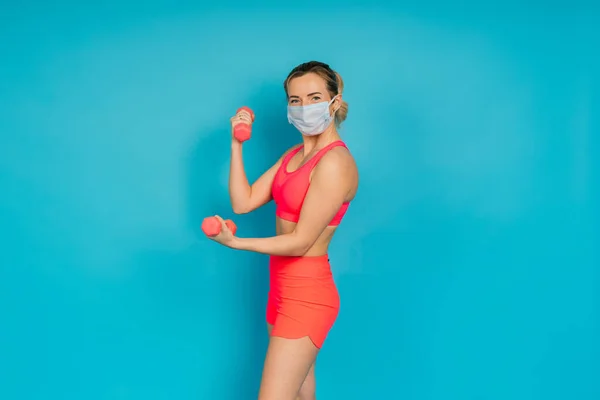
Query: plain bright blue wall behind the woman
x,y
468,265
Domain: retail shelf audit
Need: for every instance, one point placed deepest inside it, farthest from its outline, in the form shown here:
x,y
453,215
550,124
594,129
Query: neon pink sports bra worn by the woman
x,y
290,188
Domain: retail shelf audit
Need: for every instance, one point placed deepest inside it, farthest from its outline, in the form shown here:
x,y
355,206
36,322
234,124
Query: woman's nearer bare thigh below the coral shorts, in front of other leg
x,y
287,364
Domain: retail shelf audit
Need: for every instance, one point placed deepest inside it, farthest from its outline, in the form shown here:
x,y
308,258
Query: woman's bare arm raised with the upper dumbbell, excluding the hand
x,y
245,197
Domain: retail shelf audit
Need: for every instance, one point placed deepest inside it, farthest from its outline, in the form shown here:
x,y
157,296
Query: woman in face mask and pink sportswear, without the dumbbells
x,y
312,185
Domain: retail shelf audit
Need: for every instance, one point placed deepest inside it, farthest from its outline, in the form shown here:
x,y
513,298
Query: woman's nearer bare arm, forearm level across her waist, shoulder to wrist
x,y
329,186
